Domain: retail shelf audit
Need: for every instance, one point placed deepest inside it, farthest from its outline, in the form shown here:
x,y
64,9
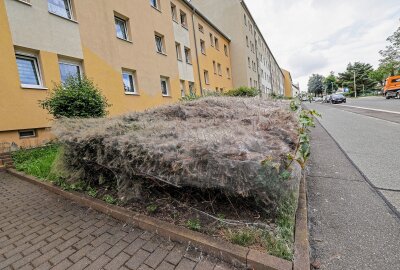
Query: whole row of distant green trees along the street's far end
x,y
367,79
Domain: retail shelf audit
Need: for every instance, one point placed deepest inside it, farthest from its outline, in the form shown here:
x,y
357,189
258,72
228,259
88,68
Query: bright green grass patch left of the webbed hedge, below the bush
x,y
36,162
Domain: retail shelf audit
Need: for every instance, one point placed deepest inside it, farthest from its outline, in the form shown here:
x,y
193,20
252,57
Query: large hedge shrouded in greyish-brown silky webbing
x,y
234,145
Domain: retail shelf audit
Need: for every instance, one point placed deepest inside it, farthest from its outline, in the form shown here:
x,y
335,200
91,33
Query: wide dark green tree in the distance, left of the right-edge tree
x,y
362,75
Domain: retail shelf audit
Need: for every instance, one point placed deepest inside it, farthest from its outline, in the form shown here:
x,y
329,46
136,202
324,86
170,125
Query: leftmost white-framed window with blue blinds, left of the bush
x,y
28,69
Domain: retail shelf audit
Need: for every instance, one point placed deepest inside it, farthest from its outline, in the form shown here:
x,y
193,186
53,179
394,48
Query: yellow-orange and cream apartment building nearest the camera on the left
x,y
141,54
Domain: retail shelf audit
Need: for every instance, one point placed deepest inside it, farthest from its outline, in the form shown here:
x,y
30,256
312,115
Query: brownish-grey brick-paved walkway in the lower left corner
x,y
41,230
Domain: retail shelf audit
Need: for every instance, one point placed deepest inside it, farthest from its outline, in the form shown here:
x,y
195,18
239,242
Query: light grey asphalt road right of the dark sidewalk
x,y
368,131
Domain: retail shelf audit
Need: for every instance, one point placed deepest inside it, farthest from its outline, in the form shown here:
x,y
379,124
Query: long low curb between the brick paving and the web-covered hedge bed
x,y
234,254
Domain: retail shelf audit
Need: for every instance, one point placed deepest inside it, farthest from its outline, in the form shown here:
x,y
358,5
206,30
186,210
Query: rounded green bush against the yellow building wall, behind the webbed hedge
x,y
76,98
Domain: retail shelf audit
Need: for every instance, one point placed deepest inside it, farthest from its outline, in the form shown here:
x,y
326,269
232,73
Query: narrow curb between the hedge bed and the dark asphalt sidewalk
x,y
301,243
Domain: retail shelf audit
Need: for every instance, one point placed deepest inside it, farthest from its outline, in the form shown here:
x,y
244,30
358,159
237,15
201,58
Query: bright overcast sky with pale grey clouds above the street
x,y
319,36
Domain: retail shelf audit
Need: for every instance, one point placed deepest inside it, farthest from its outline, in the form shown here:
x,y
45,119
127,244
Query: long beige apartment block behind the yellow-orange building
x,y
253,63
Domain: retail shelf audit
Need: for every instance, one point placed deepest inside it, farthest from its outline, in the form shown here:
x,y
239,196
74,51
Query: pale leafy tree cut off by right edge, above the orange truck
x,y
390,60
